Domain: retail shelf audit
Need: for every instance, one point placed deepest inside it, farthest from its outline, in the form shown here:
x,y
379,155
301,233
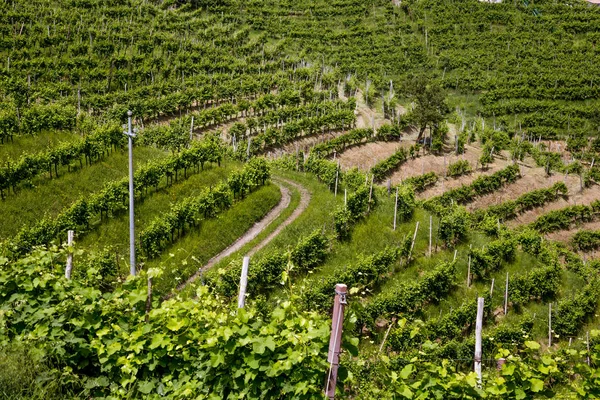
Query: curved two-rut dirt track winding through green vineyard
x,y
258,227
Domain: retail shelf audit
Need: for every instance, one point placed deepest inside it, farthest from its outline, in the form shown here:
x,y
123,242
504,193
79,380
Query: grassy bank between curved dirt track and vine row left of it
x,y
198,246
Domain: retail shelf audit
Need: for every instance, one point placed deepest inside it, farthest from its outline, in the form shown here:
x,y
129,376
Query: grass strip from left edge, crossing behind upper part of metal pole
x,y
51,196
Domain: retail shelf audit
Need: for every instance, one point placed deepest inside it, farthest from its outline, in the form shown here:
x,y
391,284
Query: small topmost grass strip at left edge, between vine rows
x,y
29,144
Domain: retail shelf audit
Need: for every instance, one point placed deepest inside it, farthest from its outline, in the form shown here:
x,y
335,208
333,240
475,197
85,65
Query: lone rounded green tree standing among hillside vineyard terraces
x,y
430,102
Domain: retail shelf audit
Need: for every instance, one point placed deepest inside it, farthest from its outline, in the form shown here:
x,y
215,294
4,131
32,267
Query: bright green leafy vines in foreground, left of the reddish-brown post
x,y
106,345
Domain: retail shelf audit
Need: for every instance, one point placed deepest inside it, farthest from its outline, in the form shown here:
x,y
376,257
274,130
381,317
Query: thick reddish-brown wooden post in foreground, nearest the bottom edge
x,y
337,322
